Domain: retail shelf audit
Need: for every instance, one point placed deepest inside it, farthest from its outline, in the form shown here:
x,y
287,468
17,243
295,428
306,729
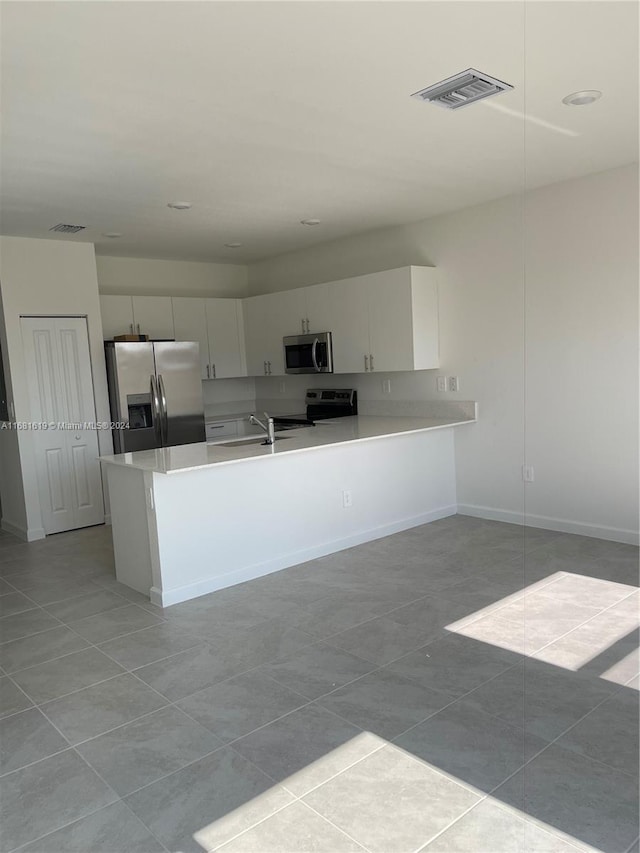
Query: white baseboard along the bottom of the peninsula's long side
x,y
165,598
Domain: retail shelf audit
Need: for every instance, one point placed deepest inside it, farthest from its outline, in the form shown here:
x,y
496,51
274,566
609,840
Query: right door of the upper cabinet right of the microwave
x,y
390,320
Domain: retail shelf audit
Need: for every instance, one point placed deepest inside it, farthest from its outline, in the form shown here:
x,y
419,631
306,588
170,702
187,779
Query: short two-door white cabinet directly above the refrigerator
x,y
137,315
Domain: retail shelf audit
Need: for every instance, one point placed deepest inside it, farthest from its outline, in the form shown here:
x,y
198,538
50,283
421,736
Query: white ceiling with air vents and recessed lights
x,y
265,113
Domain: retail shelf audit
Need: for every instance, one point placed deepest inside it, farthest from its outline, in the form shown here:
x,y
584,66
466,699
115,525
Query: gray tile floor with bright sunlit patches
x,y
464,686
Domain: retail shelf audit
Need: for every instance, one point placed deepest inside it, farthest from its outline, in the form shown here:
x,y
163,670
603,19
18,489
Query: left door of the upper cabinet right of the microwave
x,y
350,325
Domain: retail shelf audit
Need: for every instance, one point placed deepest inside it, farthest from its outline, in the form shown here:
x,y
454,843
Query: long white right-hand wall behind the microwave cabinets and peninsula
x,y
539,319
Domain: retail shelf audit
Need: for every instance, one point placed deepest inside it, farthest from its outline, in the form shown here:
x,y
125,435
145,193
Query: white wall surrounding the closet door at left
x,y
56,278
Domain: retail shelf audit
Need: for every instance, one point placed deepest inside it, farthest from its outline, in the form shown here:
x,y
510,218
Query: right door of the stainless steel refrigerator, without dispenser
x,y
178,371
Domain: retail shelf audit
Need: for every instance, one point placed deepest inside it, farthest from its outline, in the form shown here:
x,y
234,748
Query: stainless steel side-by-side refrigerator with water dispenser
x,y
155,388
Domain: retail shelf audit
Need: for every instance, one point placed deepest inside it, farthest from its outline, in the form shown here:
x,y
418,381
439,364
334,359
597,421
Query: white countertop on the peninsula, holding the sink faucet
x,y
189,457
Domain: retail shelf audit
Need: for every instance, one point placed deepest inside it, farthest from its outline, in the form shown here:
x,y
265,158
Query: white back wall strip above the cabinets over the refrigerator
x,y
148,277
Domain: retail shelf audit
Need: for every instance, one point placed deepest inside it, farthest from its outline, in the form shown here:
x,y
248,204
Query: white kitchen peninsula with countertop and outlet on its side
x,y
196,518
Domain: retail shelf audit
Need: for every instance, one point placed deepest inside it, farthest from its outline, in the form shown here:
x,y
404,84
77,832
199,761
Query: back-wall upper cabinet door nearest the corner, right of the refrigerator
x,y
226,341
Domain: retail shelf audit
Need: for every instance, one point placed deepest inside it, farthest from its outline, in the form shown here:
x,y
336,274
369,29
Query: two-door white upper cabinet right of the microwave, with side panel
x,y
386,321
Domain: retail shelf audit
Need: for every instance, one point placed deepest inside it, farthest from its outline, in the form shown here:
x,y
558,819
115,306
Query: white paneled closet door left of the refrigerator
x,y
61,391
